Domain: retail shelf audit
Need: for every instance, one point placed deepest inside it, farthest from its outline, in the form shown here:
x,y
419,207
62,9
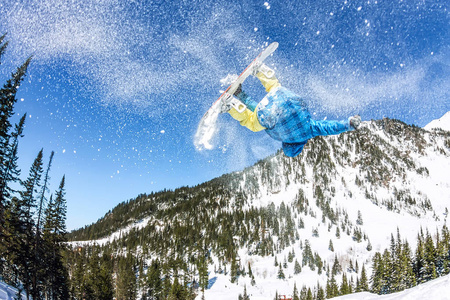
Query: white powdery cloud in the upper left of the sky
x,y
125,66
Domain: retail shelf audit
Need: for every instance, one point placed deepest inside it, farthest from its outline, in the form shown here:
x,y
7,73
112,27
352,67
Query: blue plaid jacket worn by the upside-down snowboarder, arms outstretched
x,y
286,119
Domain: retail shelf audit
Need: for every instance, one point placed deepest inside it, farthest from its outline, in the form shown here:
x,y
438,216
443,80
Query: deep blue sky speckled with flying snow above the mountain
x,y
116,89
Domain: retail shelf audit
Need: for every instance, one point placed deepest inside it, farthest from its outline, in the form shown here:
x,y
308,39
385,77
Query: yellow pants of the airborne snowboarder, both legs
x,y
249,118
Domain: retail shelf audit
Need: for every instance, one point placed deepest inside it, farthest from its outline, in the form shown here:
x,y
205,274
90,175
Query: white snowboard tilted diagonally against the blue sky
x,y
206,127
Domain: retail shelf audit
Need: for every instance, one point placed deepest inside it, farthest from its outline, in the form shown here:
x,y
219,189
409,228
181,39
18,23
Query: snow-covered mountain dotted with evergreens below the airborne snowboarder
x,y
353,191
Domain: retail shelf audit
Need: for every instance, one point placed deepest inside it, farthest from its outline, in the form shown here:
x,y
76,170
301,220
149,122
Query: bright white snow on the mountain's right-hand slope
x,y
379,221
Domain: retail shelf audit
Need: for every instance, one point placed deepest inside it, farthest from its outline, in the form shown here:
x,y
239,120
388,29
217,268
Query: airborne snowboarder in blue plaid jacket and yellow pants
x,y
284,115
